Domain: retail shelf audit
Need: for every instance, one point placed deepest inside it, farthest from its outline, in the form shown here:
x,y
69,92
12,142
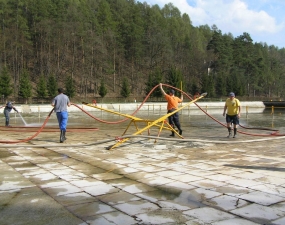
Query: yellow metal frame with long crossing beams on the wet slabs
x,y
149,123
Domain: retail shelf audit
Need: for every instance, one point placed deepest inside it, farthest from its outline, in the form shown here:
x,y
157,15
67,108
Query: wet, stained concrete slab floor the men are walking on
x,y
207,179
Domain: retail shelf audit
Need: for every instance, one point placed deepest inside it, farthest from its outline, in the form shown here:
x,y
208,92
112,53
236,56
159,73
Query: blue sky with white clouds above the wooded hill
x,y
264,20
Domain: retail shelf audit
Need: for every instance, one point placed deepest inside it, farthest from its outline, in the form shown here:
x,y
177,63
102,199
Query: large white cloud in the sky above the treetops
x,y
229,15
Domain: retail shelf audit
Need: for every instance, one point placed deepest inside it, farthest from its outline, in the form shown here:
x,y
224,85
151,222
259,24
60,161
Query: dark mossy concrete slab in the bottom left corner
x,y
32,205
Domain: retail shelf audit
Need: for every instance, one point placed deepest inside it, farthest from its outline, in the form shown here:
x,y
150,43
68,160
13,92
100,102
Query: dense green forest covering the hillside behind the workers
x,y
123,48
